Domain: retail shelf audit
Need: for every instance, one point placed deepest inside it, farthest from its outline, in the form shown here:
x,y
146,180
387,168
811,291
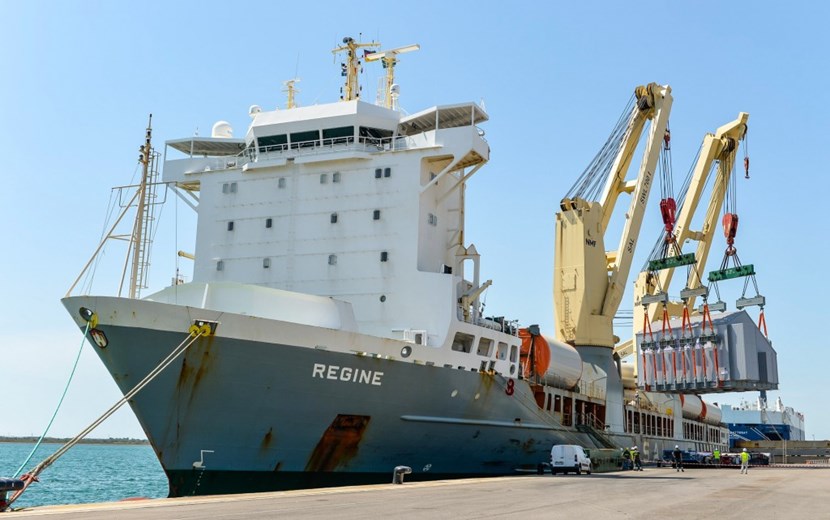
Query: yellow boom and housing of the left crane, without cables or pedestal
x,y
588,281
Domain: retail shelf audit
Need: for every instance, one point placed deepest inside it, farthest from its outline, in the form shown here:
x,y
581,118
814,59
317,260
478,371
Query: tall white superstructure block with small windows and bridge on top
x,y
318,200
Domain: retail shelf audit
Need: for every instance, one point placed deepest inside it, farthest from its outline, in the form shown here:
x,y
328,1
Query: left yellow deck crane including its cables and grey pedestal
x,y
589,281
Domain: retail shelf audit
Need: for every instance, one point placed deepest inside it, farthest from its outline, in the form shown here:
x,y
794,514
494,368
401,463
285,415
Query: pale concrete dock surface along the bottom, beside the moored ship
x,y
765,493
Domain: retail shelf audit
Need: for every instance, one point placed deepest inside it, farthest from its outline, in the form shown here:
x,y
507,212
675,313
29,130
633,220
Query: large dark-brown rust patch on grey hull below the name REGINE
x,y
339,443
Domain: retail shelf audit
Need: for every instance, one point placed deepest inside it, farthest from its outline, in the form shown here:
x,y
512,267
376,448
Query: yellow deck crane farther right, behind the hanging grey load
x,y
652,284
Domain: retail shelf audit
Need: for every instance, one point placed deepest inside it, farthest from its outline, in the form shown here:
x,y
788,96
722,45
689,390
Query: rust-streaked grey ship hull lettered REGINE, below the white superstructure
x,y
241,414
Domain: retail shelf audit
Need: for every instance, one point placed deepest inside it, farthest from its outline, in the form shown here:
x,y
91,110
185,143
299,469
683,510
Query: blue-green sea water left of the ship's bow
x,y
87,473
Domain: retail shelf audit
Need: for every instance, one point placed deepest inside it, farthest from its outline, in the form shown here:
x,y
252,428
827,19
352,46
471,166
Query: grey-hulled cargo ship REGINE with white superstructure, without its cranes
x,y
333,327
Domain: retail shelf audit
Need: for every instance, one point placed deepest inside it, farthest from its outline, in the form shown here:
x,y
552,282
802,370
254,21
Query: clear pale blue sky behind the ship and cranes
x,y
81,77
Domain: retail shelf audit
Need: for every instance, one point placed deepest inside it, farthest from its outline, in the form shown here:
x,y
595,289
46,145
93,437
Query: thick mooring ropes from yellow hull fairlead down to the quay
x,y
32,476
